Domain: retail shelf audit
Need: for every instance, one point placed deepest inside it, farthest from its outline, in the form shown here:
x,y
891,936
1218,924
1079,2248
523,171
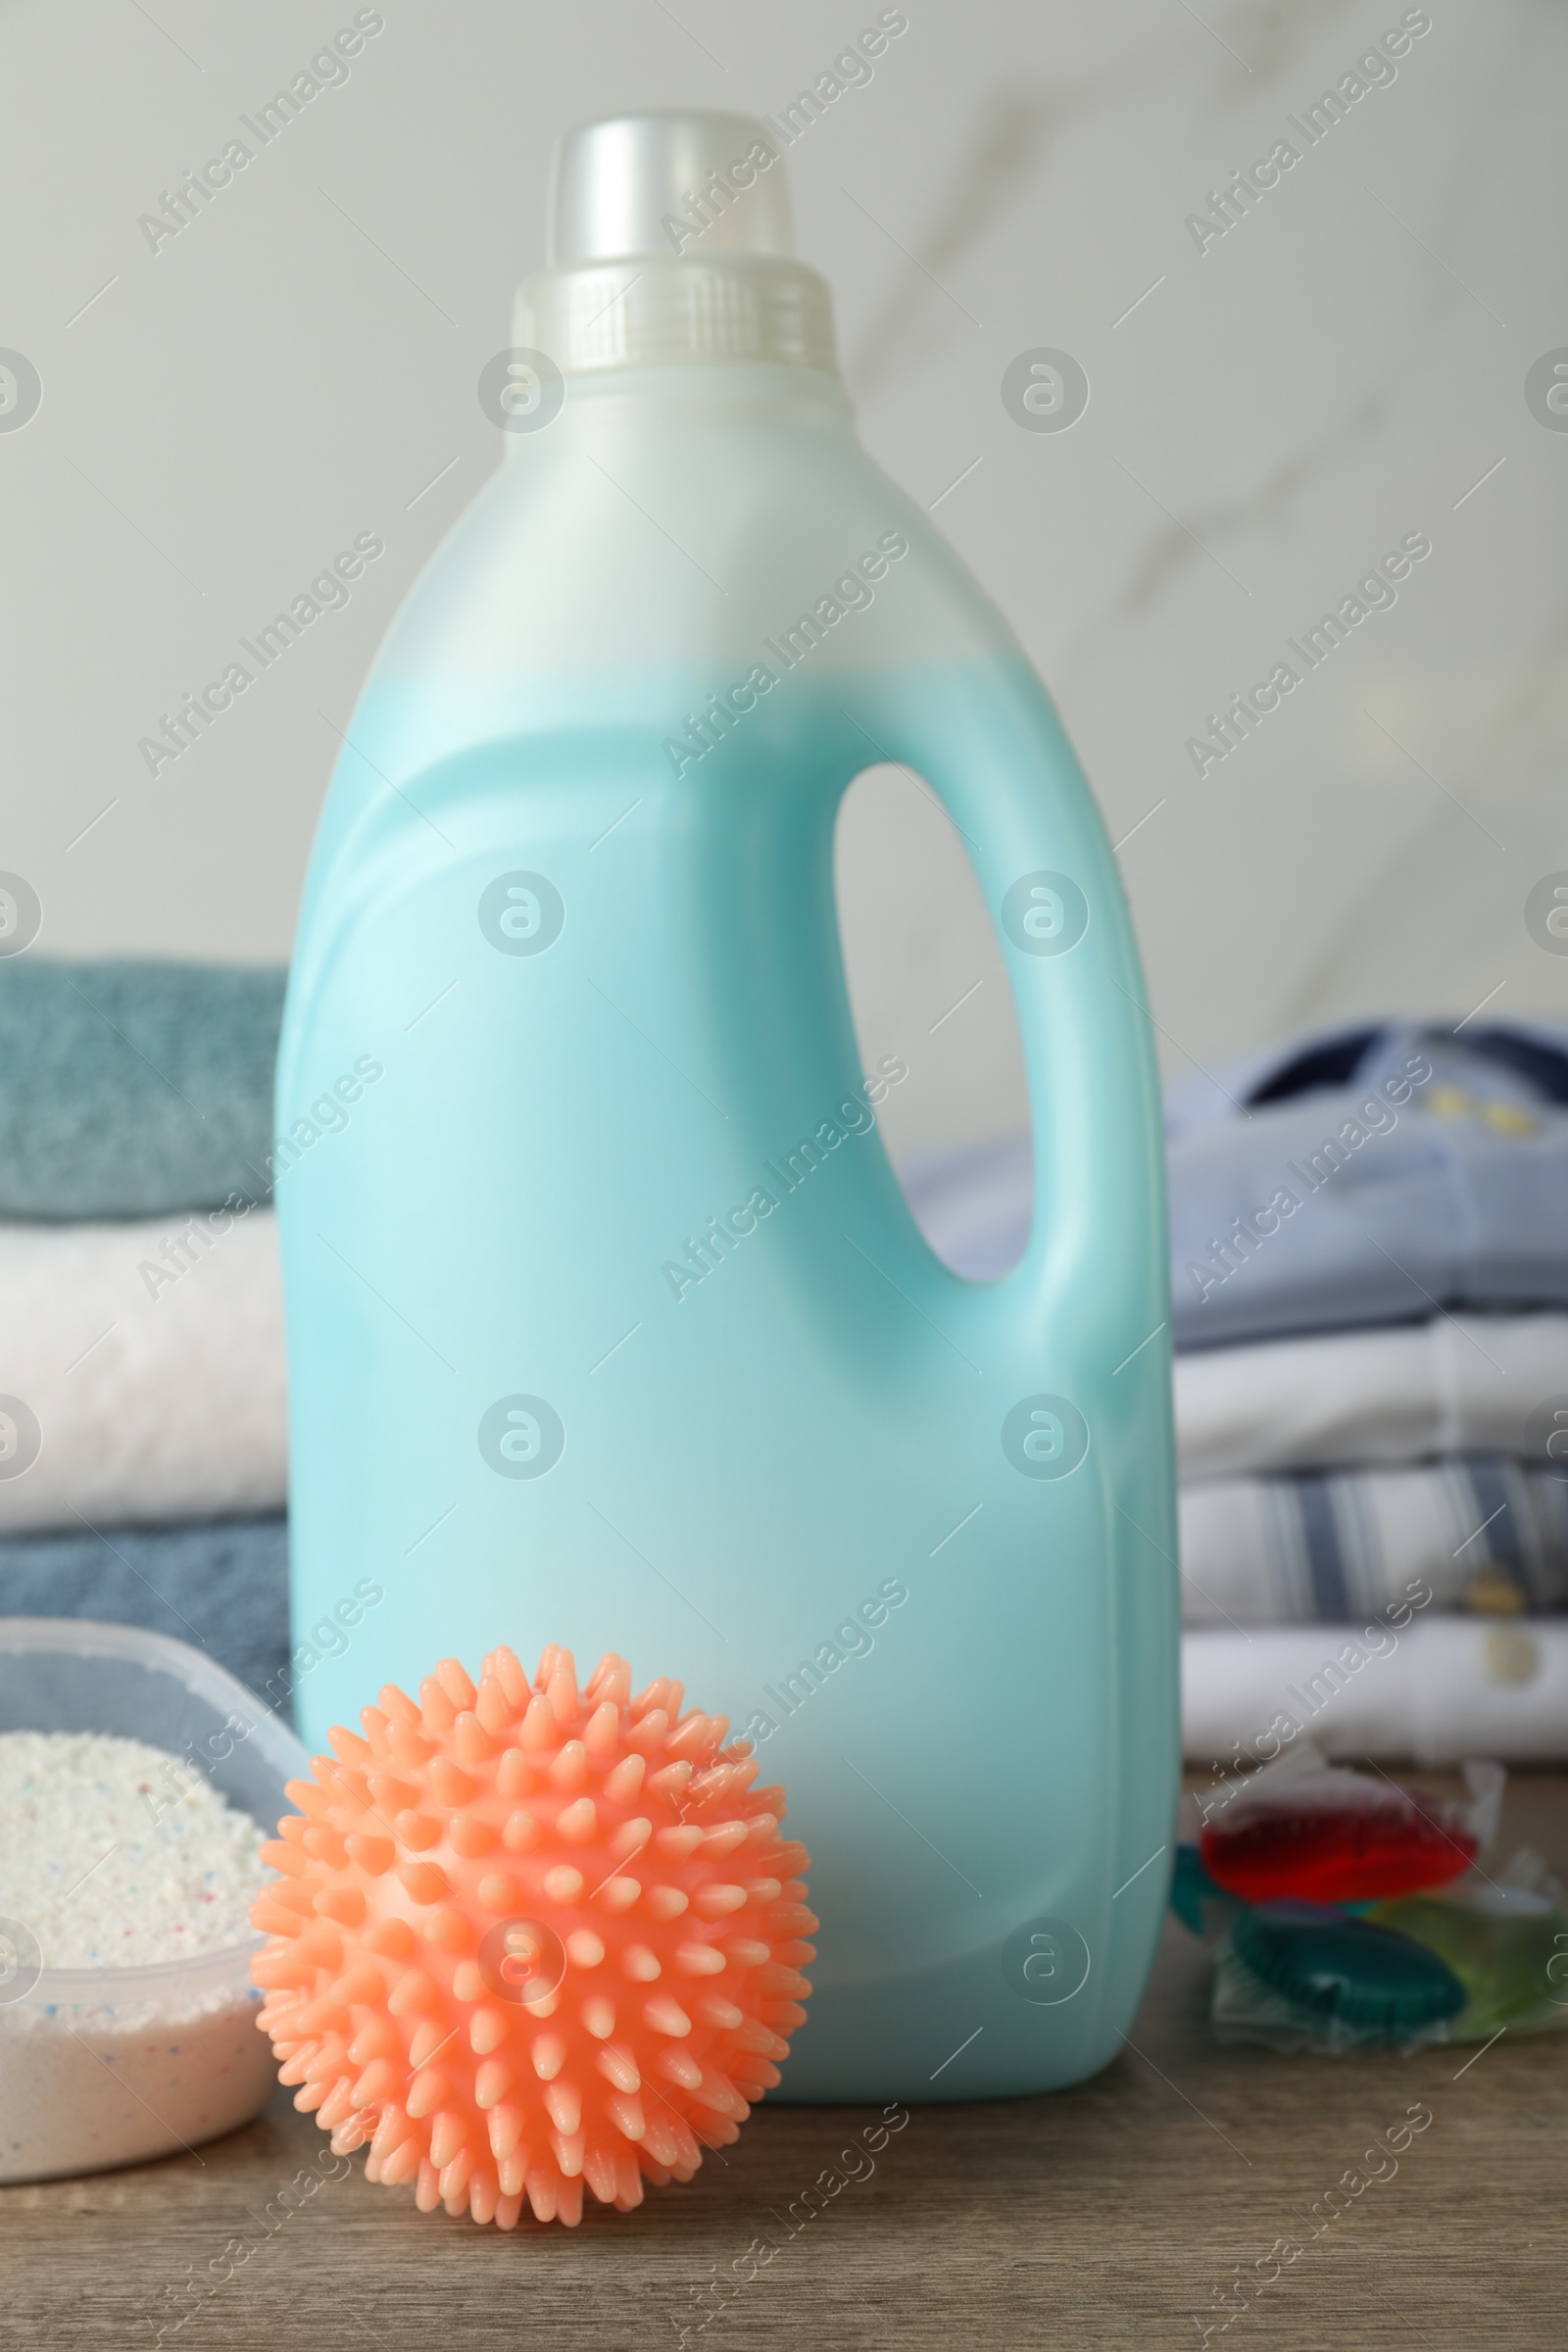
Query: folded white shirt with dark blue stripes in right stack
x,y
1327,1546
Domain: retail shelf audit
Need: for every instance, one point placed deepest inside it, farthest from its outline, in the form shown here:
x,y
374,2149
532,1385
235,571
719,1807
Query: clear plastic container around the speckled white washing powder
x,y
112,2066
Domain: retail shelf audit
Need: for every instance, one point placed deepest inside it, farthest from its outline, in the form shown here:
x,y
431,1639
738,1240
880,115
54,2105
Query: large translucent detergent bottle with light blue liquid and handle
x,y
608,1318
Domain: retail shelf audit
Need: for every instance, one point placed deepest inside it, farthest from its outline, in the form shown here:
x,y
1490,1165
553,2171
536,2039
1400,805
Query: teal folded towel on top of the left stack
x,y
135,1088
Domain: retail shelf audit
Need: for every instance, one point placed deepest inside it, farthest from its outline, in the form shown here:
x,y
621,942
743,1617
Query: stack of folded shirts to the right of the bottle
x,y
1369,1302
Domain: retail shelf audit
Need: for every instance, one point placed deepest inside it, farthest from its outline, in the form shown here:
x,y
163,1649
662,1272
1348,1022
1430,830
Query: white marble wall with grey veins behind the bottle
x,y
1268,417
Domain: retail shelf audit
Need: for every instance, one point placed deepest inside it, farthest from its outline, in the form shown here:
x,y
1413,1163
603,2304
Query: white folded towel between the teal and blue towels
x,y
142,1372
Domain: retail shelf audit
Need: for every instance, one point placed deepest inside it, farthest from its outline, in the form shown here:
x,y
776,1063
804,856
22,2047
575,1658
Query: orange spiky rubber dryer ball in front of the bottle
x,y
532,1937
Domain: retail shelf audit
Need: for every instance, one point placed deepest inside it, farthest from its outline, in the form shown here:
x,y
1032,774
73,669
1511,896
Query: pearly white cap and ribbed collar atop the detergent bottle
x,y
671,243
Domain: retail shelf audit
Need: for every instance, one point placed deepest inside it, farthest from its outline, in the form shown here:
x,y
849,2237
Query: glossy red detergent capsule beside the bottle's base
x,y
1336,1838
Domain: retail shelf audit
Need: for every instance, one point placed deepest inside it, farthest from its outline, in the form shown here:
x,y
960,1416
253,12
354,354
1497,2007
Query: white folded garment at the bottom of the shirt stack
x,y
1438,1692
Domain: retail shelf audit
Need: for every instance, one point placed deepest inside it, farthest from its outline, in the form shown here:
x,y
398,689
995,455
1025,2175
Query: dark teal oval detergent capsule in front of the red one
x,y
1334,1967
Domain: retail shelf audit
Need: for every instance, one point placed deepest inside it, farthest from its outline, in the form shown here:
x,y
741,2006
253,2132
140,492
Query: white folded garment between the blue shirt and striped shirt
x,y
1459,1384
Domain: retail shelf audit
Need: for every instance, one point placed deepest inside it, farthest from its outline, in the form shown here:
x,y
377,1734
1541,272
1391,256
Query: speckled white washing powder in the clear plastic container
x,y
116,1855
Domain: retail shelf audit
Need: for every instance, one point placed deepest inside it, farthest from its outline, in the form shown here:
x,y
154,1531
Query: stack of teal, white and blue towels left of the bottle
x,y
142,1377
